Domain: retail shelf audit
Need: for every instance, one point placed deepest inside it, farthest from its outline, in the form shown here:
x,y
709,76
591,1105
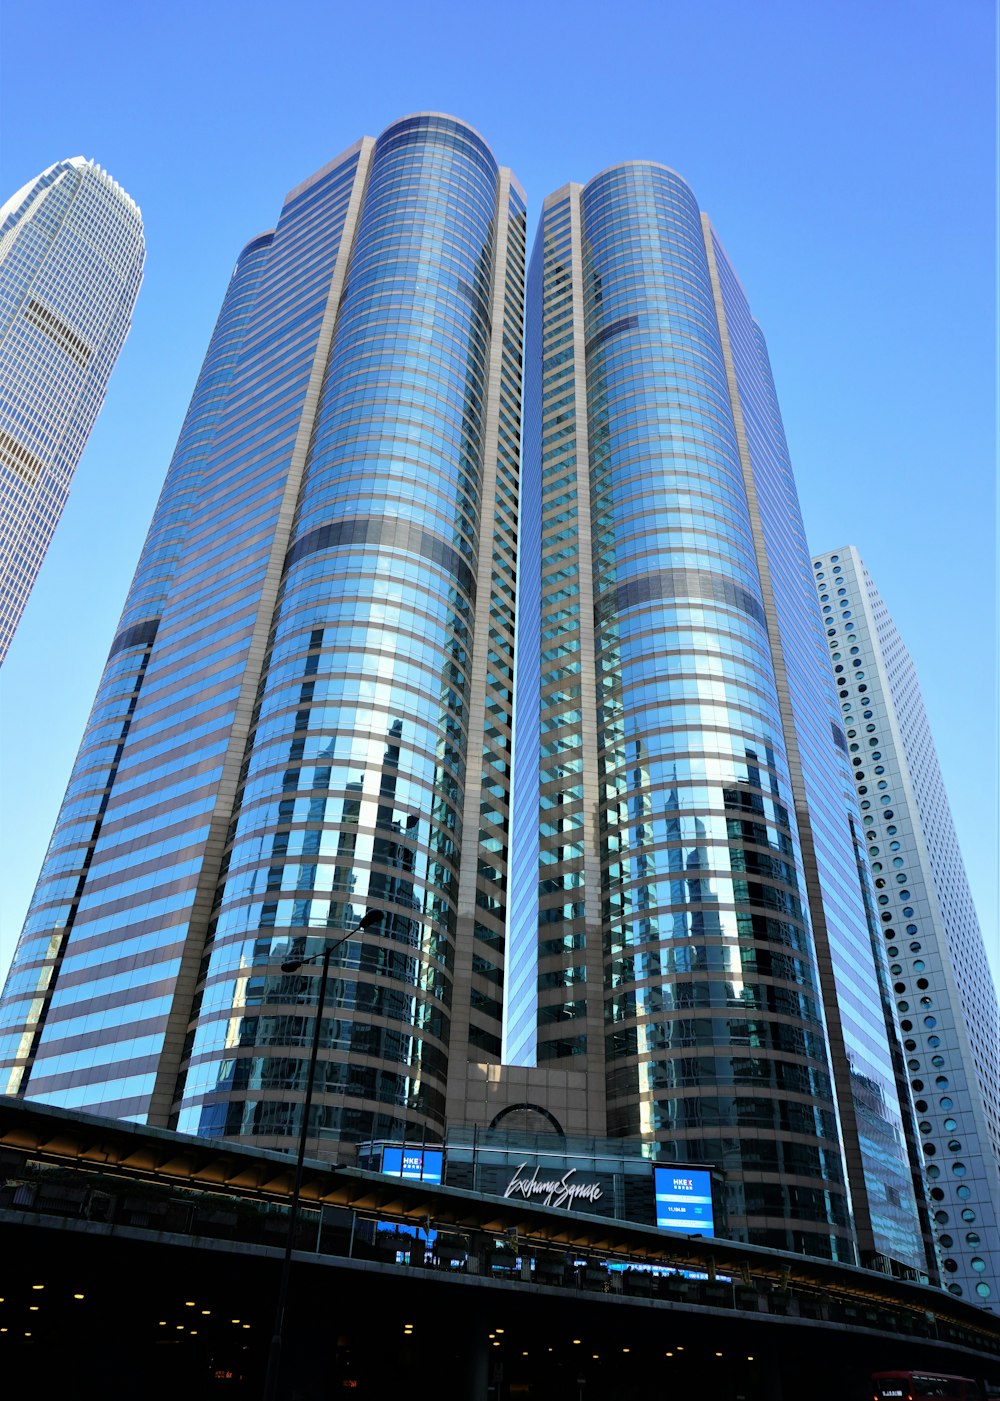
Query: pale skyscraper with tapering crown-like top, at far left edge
x,y
71,265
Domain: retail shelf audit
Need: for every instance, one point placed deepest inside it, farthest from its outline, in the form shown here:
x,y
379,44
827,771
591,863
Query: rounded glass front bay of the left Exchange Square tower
x,y
368,738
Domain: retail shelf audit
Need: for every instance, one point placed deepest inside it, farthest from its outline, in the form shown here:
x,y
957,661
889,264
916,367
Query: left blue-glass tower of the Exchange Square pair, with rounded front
x,y
306,711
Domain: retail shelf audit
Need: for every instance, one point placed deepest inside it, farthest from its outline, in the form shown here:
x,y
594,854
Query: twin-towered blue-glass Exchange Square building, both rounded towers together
x,y
620,862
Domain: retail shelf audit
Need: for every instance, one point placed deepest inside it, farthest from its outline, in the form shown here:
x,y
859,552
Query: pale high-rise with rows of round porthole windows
x,y
926,918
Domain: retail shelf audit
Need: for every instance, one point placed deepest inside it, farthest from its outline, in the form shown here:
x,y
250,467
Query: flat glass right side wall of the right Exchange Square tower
x,y
873,1130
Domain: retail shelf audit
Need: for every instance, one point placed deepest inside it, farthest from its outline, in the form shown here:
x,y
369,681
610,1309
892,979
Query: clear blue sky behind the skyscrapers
x,y
845,153
